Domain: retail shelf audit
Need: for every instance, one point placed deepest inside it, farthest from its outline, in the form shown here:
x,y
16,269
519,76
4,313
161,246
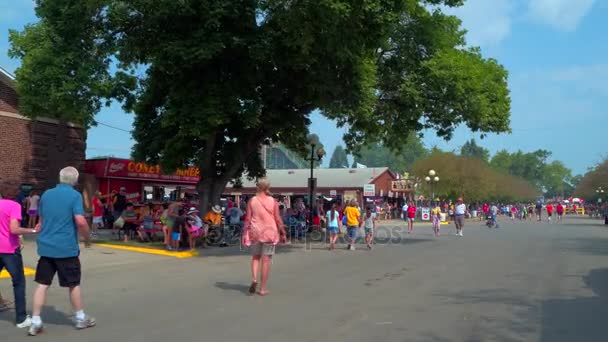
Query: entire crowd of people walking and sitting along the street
x,y
59,220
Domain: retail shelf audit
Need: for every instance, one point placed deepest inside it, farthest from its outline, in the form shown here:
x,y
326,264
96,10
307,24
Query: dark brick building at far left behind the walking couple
x,y
33,151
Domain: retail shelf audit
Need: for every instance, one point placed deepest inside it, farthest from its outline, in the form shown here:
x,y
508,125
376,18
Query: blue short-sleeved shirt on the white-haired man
x,y
58,237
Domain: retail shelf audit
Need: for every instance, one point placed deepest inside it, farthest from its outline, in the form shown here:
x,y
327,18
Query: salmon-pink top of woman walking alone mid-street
x,y
261,224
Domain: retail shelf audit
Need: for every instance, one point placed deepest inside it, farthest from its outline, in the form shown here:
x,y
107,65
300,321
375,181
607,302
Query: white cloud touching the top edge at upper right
x,y
560,14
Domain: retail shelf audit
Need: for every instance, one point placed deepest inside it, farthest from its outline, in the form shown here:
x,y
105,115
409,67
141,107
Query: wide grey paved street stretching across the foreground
x,y
523,282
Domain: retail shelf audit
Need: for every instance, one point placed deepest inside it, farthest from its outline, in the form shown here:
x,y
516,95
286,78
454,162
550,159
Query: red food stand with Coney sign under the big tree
x,y
142,182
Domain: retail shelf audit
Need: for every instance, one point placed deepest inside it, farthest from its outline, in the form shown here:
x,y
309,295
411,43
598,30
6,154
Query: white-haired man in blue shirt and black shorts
x,y
61,219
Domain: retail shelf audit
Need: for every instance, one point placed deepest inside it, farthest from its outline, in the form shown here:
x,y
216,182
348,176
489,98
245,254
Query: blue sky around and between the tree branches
x,y
556,52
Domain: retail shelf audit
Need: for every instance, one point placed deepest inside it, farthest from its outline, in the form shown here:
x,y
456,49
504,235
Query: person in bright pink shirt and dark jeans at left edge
x,y
10,255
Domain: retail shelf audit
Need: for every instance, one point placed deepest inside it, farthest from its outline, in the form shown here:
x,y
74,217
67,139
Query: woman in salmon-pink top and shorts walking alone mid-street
x,y
263,231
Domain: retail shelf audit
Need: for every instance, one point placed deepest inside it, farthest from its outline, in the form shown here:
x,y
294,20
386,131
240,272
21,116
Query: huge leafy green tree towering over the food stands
x,y
210,81
